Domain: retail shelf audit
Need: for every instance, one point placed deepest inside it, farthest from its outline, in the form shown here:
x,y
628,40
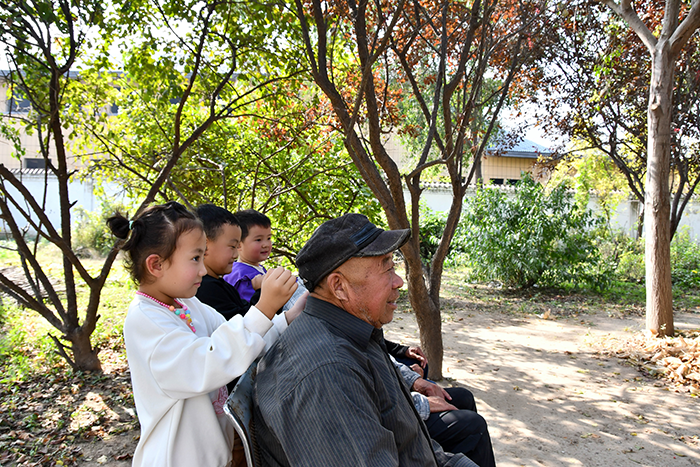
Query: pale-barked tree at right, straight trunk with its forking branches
x,y
664,48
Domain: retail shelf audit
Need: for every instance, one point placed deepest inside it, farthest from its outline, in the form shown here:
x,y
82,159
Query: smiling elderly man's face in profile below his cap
x,y
374,288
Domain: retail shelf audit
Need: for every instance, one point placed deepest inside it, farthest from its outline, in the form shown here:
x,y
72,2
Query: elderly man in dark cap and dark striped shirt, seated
x,y
327,392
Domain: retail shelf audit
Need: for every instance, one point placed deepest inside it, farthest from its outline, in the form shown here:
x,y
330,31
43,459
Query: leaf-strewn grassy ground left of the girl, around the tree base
x,y
46,407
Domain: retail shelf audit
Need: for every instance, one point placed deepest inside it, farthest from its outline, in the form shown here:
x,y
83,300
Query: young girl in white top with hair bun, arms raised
x,y
181,352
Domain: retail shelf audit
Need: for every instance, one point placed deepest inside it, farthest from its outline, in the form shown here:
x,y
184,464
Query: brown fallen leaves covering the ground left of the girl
x,y
43,418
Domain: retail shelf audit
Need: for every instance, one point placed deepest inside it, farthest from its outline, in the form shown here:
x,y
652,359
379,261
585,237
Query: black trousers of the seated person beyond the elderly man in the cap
x,y
462,430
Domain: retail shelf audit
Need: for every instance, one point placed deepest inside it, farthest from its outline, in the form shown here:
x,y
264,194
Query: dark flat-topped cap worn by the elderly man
x,y
340,239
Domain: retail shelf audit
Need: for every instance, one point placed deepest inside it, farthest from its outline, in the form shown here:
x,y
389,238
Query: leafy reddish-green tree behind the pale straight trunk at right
x,y
596,68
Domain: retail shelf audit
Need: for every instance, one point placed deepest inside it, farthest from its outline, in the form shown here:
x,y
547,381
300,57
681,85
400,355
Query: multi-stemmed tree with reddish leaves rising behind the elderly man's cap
x,y
366,57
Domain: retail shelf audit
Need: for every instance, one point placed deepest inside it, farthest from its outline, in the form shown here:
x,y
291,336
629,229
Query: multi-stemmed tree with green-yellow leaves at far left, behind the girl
x,y
47,41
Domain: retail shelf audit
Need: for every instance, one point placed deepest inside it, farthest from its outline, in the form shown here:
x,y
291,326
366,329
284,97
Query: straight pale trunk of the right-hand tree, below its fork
x,y
657,203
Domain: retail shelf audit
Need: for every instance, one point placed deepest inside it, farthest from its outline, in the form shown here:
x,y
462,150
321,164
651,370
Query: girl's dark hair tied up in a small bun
x,y
154,231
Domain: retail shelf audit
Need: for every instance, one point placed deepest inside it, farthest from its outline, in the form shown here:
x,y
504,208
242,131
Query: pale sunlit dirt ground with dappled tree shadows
x,y
549,396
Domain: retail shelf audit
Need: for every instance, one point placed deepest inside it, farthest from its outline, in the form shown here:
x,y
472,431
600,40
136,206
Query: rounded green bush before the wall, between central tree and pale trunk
x,y
532,238
